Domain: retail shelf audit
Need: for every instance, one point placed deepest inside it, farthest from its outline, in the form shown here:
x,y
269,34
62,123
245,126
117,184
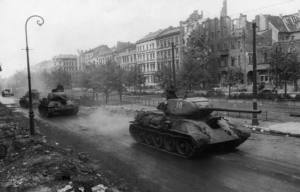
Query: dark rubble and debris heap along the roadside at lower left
x,y
37,163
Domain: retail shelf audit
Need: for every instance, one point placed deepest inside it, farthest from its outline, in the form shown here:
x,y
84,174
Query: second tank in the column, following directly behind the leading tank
x,y
57,103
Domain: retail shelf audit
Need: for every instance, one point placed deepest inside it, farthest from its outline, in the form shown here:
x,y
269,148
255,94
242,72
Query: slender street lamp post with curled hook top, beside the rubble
x,y
31,113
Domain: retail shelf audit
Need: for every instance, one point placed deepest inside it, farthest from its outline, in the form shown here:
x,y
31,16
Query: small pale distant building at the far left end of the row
x,y
66,62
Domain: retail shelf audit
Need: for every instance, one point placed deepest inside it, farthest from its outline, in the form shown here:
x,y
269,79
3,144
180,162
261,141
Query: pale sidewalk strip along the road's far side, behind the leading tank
x,y
287,128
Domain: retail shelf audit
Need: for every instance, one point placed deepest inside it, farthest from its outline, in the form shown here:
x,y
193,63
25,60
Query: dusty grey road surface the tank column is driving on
x,y
262,163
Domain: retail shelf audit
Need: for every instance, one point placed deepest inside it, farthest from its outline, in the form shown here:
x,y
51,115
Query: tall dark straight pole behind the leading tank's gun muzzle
x,y
254,115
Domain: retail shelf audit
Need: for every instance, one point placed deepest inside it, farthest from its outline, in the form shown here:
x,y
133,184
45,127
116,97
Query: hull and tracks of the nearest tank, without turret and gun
x,y
158,131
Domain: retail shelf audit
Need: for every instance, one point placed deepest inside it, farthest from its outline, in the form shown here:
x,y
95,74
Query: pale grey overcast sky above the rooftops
x,y
82,24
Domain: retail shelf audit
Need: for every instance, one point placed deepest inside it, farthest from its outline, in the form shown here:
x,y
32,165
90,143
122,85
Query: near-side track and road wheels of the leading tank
x,y
189,143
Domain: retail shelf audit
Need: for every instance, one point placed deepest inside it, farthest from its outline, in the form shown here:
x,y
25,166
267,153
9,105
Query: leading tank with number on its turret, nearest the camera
x,y
185,127
